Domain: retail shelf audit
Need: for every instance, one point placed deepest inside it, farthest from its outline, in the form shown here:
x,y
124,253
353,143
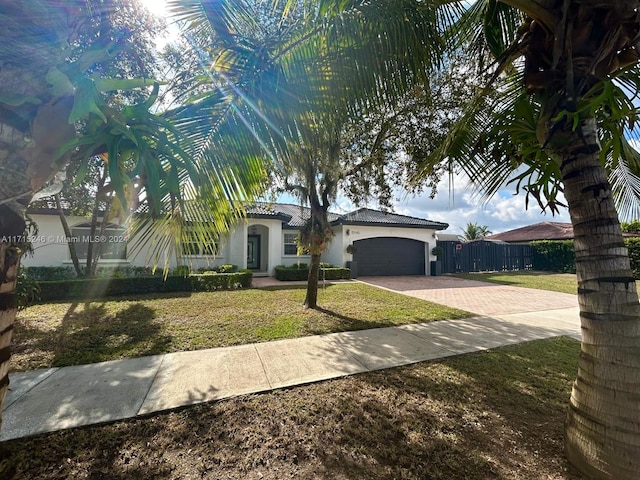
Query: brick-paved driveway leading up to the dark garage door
x,y
482,298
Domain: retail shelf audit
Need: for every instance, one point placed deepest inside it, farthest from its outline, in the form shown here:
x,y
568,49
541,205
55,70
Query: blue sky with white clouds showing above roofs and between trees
x,y
457,206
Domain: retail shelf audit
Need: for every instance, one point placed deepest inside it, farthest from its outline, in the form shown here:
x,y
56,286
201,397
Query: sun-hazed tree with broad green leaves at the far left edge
x,y
51,54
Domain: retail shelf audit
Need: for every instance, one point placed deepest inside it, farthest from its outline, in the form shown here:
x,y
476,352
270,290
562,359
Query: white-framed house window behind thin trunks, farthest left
x,y
111,245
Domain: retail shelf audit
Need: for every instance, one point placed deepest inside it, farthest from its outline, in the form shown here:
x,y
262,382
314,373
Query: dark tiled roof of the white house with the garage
x,y
364,216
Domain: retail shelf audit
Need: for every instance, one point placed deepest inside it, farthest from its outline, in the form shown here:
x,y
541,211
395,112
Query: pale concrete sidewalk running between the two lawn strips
x,y
59,398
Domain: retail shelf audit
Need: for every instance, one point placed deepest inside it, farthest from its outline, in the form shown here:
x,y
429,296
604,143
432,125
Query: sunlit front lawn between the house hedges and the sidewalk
x,y
61,334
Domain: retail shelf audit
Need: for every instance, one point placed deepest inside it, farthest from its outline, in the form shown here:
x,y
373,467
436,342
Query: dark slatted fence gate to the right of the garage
x,y
483,256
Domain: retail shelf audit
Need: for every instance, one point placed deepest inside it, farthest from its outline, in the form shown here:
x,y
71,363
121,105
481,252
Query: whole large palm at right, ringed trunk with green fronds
x,y
567,72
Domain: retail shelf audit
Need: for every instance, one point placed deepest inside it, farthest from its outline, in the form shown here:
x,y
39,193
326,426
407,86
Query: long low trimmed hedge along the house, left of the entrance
x,y
92,288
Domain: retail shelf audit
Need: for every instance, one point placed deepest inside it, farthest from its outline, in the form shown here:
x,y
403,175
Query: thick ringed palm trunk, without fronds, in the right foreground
x,y
602,430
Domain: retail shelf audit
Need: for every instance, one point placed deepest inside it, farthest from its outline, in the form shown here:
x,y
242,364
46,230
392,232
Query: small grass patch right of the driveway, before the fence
x,y
555,282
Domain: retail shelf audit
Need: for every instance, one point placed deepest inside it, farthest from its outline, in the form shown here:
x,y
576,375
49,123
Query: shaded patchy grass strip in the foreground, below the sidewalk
x,y
496,414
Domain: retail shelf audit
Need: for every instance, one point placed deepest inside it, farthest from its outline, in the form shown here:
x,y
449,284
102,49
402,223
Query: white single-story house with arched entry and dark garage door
x,y
380,243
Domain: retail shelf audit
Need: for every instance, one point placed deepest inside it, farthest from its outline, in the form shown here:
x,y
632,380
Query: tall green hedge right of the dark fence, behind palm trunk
x,y
558,256
